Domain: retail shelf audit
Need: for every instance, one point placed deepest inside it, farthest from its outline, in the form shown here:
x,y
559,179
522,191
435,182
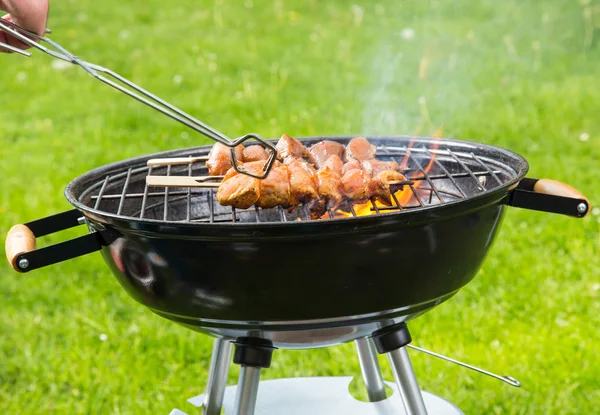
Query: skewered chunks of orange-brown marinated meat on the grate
x,y
293,180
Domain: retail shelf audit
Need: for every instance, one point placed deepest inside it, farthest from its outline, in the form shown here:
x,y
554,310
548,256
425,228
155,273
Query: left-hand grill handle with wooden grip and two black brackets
x,y
20,245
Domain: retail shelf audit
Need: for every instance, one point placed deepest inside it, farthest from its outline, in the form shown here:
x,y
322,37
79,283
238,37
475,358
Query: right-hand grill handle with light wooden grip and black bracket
x,y
548,195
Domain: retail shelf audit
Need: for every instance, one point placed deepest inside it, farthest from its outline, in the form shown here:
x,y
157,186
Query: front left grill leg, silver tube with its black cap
x,y
253,355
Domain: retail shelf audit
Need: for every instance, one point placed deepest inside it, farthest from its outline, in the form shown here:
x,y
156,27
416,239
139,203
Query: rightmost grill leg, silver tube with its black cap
x,y
392,341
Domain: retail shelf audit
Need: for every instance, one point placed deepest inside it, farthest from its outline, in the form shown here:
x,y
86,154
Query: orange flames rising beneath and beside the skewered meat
x,y
405,196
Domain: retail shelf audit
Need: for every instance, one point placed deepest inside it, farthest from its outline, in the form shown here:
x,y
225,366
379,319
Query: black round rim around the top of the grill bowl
x,y
82,183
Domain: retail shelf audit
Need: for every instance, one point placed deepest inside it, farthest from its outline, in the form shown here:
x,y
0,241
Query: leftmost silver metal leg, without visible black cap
x,y
217,377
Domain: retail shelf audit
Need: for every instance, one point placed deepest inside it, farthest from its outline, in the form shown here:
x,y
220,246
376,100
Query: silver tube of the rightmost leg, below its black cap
x,y
407,382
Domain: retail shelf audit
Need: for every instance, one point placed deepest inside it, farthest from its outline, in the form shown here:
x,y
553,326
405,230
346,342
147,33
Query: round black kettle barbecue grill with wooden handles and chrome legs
x,y
263,279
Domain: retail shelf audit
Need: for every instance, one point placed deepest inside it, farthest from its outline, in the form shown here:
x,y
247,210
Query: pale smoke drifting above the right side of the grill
x,y
418,83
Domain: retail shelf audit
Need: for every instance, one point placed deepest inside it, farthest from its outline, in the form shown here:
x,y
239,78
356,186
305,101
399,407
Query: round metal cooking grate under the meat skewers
x,y
452,175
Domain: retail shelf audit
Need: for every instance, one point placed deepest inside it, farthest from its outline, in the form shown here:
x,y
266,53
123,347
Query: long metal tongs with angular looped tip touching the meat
x,y
140,94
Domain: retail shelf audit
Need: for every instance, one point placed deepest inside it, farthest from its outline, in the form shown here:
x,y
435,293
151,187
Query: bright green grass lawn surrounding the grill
x,y
522,75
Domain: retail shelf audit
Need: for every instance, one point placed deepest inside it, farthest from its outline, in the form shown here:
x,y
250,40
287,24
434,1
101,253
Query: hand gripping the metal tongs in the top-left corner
x,y
29,14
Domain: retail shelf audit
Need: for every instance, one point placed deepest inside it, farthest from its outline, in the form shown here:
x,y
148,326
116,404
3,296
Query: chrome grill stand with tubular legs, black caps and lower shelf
x,y
323,395
